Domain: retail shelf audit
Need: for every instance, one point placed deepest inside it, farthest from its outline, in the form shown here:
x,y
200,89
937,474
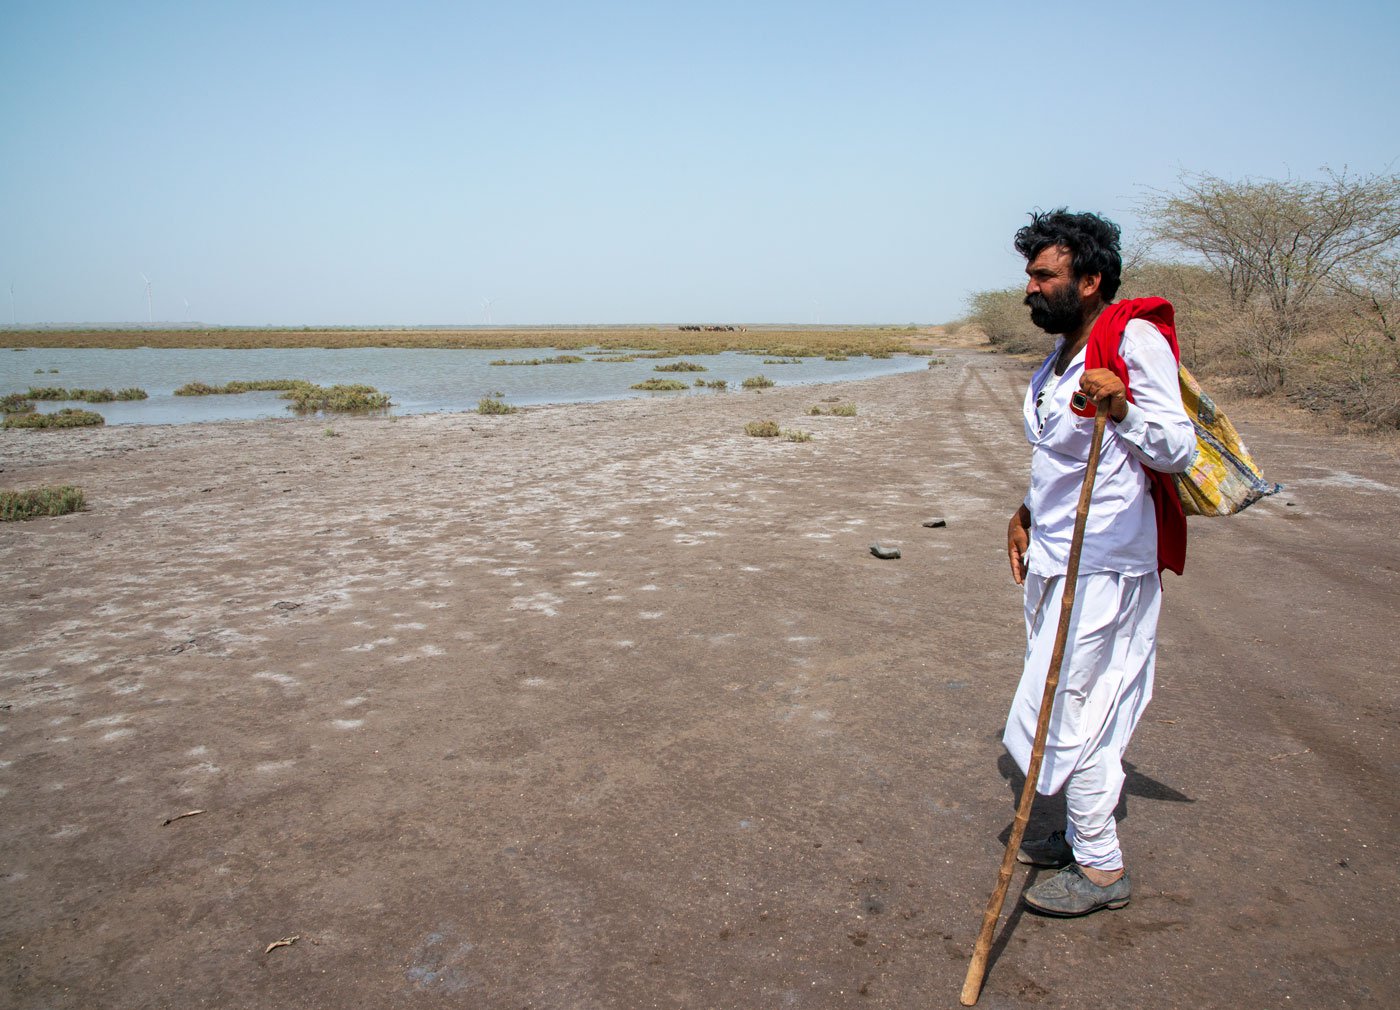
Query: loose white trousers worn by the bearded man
x,y
1105,684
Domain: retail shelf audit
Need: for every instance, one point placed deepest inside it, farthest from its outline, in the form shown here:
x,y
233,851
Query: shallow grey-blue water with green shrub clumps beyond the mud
x,y
419,380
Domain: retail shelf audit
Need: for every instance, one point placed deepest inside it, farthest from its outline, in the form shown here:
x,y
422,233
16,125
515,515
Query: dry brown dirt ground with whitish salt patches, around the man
x,y
611,707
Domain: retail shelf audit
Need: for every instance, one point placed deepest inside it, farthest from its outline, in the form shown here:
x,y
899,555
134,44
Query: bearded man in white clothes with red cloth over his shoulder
x,y
1123,357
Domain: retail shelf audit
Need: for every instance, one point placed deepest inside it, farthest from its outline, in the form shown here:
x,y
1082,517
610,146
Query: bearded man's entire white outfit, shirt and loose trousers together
x,y
1107,679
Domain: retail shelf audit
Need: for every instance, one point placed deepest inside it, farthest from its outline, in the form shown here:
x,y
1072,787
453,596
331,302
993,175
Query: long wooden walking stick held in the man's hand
x,y
972,985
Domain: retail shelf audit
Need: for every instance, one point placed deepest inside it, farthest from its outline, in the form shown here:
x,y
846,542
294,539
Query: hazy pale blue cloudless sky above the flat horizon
x,y
363,163
